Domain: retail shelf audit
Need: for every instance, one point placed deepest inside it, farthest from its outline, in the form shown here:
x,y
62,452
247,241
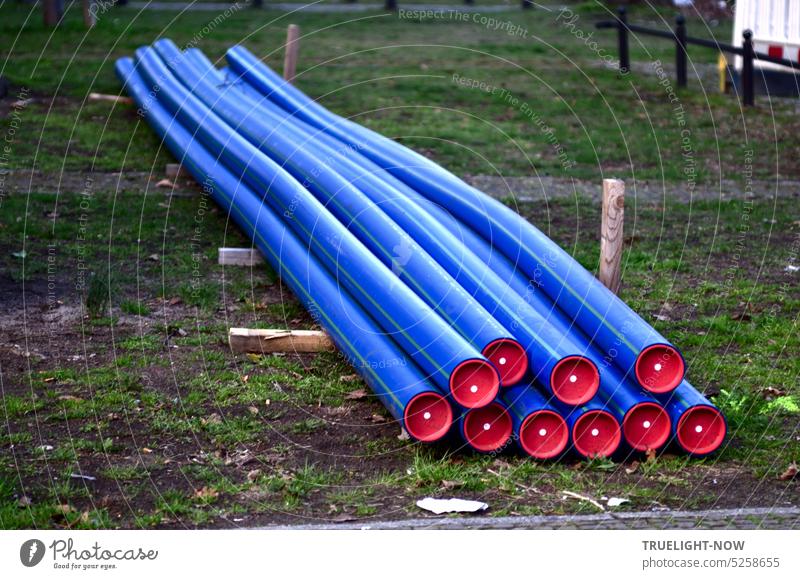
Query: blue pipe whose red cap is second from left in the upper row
x,y
367,221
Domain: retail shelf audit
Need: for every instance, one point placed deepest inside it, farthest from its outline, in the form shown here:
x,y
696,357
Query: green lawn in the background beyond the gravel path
x,y
396,75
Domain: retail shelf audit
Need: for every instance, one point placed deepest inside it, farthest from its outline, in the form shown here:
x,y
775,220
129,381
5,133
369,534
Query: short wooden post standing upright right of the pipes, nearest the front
x,y
611,239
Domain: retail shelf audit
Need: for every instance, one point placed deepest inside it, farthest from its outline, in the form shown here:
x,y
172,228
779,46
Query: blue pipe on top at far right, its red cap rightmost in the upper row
x,y
632,343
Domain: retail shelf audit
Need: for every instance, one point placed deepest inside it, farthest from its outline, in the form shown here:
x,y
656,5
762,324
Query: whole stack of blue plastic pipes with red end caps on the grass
x,y
460,315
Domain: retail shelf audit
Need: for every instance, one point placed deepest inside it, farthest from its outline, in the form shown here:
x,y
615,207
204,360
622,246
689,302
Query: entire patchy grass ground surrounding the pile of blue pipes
x,y
121,404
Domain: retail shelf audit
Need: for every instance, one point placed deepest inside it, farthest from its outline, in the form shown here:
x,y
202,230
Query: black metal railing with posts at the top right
x,y
682,41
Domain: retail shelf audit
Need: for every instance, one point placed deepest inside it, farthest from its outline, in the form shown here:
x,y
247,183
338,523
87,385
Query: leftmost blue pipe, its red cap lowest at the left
x,y
397,382
